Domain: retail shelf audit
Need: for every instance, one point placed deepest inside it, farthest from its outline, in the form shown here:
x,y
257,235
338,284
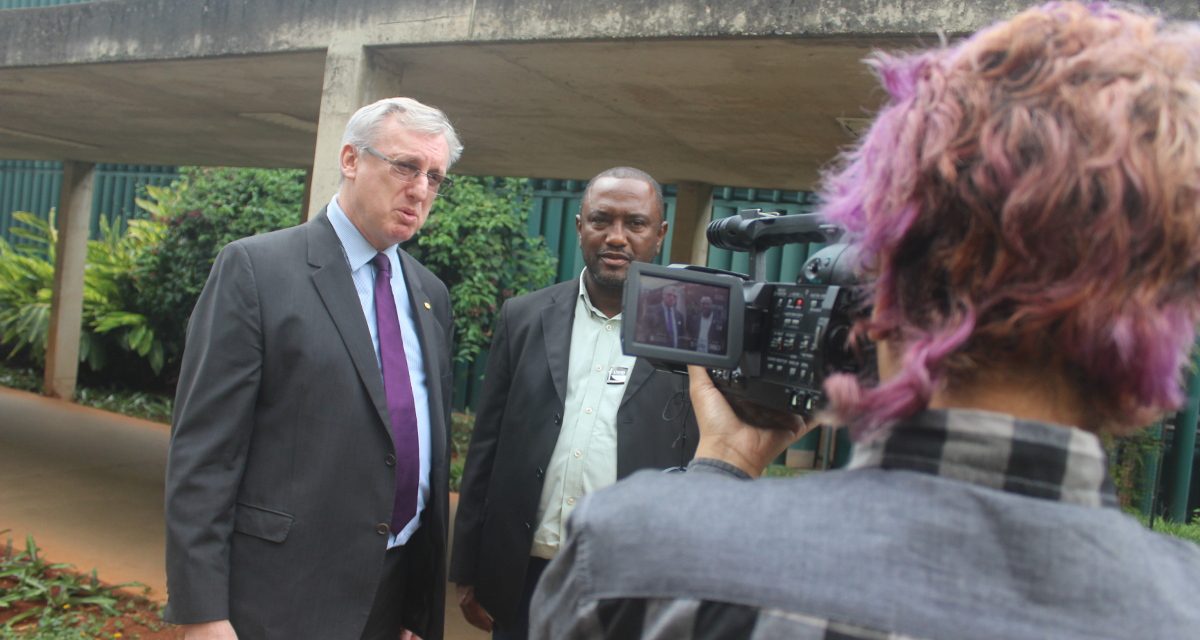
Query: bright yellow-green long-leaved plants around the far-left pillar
x,y
113,330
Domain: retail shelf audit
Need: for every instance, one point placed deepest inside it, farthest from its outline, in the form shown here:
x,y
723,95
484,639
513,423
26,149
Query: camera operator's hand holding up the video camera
x,y
749,436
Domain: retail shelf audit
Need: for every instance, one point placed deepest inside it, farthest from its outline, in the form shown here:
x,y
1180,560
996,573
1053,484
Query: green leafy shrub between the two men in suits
x,y
478,243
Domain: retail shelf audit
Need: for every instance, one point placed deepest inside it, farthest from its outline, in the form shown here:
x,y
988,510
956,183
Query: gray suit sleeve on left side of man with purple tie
x,y
213,422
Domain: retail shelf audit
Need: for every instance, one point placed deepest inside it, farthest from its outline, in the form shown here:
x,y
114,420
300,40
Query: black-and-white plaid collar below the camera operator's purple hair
x,y
997,451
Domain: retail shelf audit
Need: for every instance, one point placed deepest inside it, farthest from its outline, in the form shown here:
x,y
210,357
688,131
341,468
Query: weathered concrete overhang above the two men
x,y
753,94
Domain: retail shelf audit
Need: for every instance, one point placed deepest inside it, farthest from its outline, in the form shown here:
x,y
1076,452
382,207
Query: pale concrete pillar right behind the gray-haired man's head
x,y
355,77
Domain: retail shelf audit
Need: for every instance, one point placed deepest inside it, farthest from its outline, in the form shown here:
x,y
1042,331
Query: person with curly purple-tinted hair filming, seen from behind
x,y
1027,211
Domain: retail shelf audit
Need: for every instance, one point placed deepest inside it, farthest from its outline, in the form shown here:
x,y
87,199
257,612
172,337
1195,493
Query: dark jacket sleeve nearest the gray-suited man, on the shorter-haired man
x,y
482,457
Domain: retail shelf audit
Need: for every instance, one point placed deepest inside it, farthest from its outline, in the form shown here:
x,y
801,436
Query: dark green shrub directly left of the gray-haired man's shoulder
x,y
207,210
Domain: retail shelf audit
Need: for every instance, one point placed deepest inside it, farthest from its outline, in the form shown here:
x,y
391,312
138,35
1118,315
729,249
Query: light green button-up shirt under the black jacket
x,y
586,454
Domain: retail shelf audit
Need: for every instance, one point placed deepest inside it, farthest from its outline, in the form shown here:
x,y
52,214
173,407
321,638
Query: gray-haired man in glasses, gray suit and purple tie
x,y
307,485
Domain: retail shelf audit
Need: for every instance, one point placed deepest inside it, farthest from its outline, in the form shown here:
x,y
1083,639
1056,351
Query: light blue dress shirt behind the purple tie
x,y
359,254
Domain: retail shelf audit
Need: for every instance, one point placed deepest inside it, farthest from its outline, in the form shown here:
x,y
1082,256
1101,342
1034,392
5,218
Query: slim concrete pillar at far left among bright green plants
x,y
67,301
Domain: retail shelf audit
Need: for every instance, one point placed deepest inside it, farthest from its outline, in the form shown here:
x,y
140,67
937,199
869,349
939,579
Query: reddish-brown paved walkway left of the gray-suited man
x,y
88,487
